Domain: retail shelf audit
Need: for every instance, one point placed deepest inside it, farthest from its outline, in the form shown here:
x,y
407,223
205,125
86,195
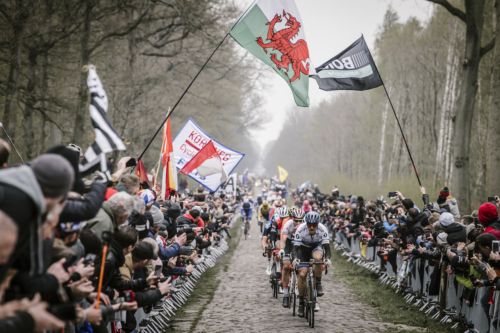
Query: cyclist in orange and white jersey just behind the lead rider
x,y
287,236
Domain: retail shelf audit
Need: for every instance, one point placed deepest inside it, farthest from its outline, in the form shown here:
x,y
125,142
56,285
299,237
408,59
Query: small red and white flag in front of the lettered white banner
x,y
207,162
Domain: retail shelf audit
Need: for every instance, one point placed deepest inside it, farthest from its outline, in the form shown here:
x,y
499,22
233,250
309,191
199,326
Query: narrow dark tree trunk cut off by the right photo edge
x,y
493,138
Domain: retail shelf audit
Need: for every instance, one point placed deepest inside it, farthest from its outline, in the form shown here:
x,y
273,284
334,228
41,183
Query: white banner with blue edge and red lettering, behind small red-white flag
x,y
189,141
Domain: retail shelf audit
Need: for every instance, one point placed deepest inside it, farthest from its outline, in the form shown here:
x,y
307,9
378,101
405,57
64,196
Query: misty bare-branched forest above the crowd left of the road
x,y
146,53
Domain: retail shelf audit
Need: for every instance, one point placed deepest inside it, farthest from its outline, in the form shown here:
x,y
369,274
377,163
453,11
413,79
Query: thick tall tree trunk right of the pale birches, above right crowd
x,y
465,108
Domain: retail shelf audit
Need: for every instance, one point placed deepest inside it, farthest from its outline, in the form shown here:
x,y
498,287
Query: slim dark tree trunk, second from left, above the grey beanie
x,y
29,134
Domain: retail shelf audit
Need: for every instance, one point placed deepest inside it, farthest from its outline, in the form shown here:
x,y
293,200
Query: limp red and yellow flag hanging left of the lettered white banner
x,y
169,179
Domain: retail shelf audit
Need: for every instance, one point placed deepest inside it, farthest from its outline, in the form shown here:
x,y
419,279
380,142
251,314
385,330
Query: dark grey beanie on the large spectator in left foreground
x,y
54,174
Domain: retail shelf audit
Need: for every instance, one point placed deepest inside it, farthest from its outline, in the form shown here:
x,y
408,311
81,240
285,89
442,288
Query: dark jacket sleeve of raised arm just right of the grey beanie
x,y
76,210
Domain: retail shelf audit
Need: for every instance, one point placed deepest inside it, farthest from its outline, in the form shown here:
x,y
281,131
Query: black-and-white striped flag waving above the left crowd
x,y
106,138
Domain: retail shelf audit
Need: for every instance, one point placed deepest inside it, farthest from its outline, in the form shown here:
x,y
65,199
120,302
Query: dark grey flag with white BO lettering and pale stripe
x,y
351,69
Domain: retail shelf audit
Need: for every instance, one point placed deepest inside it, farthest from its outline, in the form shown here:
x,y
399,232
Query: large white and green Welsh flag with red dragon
x,y
273,31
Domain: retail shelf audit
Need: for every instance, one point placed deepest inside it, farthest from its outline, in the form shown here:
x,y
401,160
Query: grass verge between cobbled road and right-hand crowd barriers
x,y
369,290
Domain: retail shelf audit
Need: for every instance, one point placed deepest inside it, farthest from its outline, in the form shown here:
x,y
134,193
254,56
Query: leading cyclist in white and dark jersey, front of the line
x,y
311,242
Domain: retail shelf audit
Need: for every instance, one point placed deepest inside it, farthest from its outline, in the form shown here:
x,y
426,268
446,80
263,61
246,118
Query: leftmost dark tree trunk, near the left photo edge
x,y
13,83
